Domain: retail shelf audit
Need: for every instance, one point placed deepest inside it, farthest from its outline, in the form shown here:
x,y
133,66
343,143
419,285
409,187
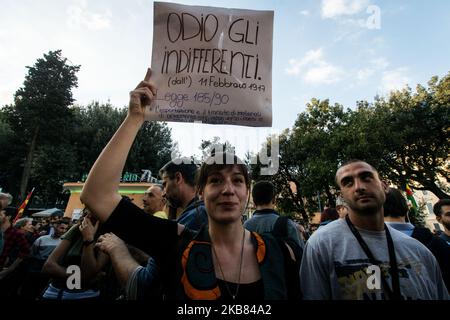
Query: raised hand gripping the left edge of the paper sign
x,y
142,97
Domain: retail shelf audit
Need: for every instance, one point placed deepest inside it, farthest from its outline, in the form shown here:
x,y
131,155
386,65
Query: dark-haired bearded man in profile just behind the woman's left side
x,y
178,177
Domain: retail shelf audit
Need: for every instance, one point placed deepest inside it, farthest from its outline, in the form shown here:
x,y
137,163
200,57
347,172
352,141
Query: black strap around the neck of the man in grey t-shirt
x,y
393,294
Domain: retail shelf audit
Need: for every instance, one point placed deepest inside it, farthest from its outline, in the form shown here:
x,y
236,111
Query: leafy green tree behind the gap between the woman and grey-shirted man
x,y
308,159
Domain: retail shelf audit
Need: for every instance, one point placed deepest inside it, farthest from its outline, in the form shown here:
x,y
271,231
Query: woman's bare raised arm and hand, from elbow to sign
x,y
100,192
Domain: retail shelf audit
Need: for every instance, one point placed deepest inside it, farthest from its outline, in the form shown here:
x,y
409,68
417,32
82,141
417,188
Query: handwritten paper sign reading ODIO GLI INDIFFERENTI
x,y
212,65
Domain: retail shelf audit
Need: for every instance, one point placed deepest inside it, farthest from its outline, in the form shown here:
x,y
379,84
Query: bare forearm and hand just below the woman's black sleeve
x,y
122,261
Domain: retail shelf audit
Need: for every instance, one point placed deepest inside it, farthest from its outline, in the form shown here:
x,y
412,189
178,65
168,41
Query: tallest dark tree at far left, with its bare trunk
x,y
41,109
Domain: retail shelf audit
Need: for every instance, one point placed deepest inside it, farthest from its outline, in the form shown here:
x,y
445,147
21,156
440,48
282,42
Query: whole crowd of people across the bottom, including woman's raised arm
x,y
189,241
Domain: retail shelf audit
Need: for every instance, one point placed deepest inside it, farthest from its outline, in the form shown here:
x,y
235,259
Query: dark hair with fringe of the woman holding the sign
x,y
217,162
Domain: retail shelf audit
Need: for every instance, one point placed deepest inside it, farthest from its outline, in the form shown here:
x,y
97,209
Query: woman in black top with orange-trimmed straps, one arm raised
x,y
221,261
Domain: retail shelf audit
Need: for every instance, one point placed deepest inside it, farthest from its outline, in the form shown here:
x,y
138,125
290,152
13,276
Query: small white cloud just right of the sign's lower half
x,y
318,70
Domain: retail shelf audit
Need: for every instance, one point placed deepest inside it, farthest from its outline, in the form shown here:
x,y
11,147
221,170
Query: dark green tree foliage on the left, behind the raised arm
x,y
67,138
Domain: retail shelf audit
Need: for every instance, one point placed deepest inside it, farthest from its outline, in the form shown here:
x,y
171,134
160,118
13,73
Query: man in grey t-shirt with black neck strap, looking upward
x,y
359,257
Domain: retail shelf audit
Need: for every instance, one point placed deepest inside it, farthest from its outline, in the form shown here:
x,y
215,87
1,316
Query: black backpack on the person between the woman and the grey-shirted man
x,y
292,267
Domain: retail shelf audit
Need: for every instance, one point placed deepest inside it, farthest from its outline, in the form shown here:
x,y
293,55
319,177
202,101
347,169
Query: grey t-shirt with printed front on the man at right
x,y
334,266
